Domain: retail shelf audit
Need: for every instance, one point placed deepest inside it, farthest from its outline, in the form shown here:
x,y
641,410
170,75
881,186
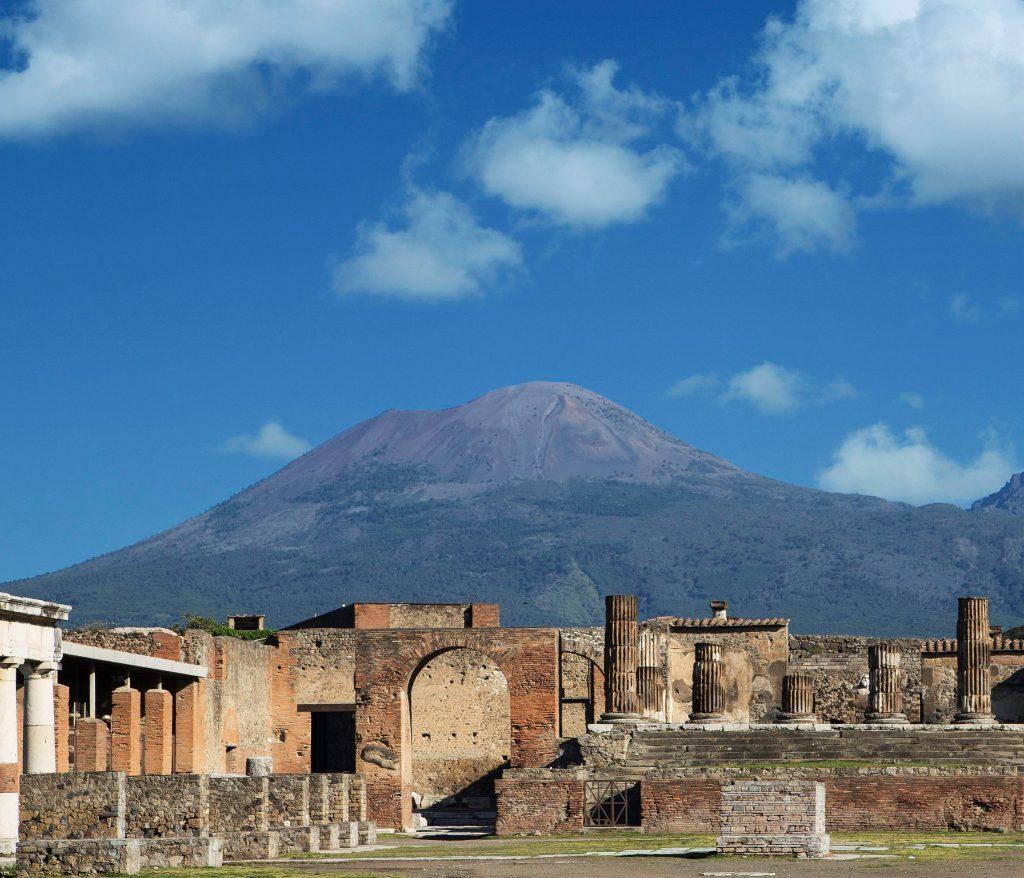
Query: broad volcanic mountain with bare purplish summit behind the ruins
x,y
545,497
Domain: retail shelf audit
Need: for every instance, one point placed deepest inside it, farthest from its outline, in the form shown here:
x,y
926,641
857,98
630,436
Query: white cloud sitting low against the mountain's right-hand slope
x,y
910,469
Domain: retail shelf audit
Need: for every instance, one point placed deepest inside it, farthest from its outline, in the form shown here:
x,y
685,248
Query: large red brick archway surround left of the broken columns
x,y
387,662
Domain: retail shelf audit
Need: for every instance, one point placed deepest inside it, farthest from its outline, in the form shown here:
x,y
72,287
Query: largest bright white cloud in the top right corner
x,y
934,89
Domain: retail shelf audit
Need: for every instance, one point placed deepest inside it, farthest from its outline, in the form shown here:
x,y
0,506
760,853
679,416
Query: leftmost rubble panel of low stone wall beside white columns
x,y
73,806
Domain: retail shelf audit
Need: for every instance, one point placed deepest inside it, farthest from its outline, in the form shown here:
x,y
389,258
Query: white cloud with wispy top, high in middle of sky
x,y
585,163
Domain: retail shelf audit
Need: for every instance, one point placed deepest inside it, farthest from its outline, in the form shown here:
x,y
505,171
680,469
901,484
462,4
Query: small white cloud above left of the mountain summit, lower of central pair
x,y
441,254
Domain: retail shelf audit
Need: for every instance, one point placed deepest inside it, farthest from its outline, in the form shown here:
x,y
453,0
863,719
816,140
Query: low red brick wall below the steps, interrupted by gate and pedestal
x,y
901,804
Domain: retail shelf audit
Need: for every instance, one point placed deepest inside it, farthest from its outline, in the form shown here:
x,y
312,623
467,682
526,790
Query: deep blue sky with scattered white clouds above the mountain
x,y
789,234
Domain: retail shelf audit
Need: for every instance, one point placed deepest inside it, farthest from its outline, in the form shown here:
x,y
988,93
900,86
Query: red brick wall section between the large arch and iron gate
x,y
527,807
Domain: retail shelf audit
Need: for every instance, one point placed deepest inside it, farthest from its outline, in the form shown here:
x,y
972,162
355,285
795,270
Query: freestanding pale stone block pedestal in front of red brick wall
x,y
774,818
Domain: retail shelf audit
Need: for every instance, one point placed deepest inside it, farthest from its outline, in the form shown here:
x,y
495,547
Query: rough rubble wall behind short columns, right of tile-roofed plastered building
x,y
839,666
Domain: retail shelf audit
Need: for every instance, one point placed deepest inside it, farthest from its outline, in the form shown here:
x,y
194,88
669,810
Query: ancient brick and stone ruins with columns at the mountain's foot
x,y
402,717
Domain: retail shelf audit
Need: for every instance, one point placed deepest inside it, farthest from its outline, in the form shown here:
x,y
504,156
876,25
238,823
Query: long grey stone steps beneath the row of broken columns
x,y
680,748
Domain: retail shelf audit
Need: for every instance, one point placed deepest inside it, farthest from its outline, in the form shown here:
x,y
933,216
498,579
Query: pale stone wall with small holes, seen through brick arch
x,y
461,728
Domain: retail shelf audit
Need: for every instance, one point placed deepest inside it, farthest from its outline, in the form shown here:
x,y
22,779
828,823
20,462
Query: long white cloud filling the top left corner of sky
x,y
89,62
